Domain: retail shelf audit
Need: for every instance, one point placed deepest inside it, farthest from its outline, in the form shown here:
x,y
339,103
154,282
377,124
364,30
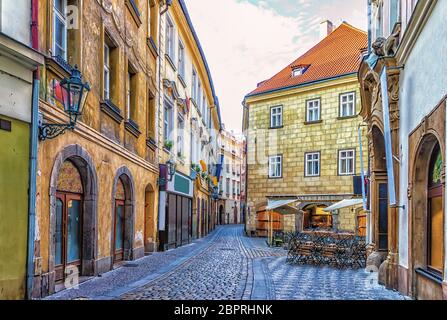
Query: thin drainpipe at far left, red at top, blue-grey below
x,y
33,155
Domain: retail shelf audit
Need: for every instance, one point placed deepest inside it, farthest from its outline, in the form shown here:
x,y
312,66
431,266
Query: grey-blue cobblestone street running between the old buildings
x,y
227,265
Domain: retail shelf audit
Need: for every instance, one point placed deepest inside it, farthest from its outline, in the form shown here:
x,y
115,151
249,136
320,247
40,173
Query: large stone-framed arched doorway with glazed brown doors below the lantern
x,y
73,217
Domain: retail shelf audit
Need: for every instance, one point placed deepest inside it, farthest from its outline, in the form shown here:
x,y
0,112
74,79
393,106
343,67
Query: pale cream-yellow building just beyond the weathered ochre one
x,y
189,122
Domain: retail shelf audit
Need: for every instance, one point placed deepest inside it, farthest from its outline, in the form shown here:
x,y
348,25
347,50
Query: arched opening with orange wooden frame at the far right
x,y
427,216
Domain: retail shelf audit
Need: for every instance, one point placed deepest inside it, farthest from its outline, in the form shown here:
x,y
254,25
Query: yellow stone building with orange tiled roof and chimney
x,y
303,143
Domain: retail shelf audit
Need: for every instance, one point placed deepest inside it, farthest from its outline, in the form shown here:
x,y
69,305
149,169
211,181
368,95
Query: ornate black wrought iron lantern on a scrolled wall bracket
x,y
74,96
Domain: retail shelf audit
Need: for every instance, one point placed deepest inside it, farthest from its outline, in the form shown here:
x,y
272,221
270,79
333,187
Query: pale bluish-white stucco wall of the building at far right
x,y
422,86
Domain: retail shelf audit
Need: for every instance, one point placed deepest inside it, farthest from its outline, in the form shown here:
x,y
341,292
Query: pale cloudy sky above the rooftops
x,y
248,41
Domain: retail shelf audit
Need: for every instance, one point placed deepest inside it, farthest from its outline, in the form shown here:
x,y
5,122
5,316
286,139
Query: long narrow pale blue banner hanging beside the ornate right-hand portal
x,y
387,134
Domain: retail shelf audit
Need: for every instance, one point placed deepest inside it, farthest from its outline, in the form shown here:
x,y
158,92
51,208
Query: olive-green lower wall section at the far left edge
x,y
14,173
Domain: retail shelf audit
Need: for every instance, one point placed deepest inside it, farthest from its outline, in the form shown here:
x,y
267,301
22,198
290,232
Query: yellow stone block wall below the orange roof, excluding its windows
x,y
295,139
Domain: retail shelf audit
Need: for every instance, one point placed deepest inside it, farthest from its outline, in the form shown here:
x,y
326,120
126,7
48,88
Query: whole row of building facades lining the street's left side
x,y
136,172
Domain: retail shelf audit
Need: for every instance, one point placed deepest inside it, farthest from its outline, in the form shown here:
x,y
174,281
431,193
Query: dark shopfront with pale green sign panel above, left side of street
x,y
175,214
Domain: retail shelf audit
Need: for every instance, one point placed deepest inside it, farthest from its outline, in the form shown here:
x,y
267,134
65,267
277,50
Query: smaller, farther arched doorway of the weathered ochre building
x,y
122,216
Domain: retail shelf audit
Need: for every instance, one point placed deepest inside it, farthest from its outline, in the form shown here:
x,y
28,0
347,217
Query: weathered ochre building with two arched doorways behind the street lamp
x,y
97,193
